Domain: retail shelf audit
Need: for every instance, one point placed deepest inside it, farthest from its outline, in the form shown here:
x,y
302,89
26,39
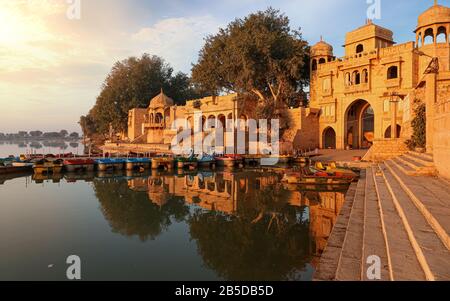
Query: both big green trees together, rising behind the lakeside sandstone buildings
x,y
260,57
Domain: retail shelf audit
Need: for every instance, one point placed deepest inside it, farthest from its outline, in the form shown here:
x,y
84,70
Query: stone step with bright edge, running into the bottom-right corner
x,y
431,253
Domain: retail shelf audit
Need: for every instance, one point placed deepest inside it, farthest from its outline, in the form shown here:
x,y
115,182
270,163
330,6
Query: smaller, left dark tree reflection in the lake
x,y
132,213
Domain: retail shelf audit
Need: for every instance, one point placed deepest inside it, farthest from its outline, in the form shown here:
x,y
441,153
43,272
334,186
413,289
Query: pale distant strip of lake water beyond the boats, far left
x,y
16,148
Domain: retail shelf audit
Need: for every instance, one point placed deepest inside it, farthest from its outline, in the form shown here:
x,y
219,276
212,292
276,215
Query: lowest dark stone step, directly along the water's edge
x,y
329,259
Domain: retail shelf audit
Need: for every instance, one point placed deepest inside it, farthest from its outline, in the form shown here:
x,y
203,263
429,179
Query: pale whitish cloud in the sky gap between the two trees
x,y
178,40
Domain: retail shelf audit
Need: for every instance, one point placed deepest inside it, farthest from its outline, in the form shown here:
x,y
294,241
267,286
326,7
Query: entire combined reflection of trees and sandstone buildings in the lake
x,y
247,225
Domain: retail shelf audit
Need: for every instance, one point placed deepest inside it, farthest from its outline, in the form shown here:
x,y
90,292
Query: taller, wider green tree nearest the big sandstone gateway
x,y
259,55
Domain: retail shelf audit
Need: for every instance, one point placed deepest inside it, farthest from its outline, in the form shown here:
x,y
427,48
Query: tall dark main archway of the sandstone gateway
x,y
359,126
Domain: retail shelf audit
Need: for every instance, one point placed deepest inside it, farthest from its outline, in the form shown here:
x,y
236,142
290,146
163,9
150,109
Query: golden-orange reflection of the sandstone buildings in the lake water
x,y
225,191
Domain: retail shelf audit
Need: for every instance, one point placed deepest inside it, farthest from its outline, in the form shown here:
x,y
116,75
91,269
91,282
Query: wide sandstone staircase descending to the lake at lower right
x,y
397,213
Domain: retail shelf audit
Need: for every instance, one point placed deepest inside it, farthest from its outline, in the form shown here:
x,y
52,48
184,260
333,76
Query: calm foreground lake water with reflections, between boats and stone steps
x,y
164,226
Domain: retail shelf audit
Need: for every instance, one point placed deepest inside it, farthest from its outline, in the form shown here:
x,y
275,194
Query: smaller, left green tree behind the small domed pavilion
x,y
132,83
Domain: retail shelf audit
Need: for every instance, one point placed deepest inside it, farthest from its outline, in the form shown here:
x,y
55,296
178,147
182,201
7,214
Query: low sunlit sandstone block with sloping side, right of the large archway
x,y
384,149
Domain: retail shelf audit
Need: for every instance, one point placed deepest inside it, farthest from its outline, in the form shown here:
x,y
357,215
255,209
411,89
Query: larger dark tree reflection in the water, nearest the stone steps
x,y
266,240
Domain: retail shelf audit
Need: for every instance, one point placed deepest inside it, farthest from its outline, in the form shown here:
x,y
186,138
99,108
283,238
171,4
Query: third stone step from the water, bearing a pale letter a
x,y
374,242
